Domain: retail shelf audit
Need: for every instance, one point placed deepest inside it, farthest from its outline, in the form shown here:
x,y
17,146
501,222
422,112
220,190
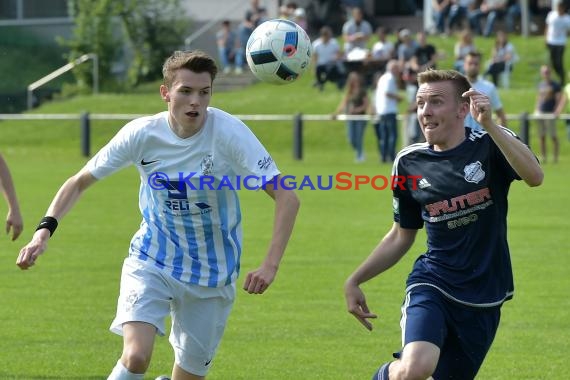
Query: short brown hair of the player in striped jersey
x,y
196,61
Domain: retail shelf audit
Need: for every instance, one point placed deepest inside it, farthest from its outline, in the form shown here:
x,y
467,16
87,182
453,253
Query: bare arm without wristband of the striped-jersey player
x,y
286,208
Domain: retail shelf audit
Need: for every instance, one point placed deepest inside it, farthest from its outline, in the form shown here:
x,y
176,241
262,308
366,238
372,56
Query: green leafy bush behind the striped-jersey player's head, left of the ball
x,y
127,35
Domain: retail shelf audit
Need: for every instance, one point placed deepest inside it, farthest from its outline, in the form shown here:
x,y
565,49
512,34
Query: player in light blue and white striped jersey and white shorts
x,y
185,257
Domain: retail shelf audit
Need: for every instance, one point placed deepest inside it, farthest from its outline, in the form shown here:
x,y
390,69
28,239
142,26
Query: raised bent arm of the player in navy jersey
x,y
519,156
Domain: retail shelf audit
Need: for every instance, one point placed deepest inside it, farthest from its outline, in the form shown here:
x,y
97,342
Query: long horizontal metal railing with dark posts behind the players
x,y
297,120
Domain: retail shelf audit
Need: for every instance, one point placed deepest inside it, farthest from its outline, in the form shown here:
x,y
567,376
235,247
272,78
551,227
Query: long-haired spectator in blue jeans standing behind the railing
x,y
355,102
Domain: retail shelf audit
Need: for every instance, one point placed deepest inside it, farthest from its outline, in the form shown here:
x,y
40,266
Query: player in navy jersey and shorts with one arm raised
x,y
456,288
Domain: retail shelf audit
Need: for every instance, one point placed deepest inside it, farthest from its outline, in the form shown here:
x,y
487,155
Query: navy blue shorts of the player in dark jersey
x,y
464,334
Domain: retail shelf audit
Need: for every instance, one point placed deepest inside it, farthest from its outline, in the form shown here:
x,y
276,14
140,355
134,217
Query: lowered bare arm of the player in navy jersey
x,y
387,253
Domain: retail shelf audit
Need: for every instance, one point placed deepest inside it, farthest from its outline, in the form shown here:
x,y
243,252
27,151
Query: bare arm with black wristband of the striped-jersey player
x,y
64,200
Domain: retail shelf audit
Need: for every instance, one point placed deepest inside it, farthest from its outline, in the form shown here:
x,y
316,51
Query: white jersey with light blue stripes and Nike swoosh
x,y
191,226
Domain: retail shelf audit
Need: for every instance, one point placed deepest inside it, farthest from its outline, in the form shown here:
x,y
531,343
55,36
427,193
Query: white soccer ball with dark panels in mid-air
x,y
278,51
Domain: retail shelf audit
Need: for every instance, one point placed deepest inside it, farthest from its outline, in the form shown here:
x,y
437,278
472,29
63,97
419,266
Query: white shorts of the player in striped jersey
x,y
199,314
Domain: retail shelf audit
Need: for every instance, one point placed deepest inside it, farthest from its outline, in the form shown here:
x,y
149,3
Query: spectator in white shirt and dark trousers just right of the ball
x,y
327,59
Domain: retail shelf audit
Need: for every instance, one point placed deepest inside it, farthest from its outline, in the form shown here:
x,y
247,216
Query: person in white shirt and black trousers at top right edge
x,y
557,28
